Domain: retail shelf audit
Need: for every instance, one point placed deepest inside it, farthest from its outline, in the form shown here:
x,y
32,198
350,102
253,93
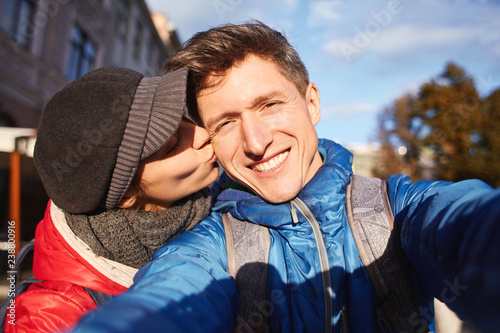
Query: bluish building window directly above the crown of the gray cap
x,y
82,54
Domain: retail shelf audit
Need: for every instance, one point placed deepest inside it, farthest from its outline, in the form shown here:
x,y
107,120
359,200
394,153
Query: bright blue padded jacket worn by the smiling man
x,y
450,232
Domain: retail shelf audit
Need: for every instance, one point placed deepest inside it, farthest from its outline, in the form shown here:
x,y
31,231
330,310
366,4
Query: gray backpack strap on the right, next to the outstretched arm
x,y
377,238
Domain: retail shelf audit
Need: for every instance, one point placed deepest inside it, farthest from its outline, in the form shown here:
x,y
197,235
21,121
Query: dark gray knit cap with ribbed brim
x,y
96,130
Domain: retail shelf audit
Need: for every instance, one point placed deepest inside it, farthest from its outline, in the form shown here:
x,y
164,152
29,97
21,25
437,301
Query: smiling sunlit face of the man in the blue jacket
x,y
262,129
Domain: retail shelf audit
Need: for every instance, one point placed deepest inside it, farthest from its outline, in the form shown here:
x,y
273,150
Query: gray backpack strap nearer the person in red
x,y
247,246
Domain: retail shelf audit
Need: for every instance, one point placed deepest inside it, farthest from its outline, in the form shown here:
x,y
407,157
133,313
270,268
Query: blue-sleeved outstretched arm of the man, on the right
x,y
451,234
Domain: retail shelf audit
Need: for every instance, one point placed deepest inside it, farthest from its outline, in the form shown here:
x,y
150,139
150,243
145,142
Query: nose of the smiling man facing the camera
x,y
257,135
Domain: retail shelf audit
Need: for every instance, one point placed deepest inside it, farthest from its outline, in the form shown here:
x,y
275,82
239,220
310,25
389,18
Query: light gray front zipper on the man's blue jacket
x,y
323,257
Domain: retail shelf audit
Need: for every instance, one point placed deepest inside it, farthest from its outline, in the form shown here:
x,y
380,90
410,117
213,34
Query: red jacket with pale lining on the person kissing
x,y
65,265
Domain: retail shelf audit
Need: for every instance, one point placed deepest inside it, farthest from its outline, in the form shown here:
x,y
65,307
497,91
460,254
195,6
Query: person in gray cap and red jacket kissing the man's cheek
x,y
125,173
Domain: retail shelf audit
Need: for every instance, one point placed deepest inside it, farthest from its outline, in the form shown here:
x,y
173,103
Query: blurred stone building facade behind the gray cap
x,y
44,44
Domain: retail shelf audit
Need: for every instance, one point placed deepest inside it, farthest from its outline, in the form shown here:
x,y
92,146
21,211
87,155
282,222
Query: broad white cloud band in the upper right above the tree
x,y
423,26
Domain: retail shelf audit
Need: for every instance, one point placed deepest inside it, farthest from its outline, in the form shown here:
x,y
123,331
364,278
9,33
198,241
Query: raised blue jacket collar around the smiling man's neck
x,y
244,205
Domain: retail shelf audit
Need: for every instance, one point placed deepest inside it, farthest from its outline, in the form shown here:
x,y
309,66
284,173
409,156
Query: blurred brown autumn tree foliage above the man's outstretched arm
x,y
445,131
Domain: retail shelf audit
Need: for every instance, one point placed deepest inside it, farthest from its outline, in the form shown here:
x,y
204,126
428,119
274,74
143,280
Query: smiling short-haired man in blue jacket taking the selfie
x,y
253,95
